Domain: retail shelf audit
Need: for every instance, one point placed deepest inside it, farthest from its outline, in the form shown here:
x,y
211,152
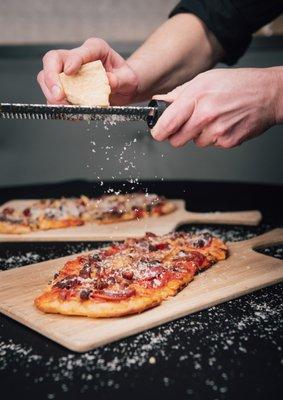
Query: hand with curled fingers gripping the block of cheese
x,y
122,79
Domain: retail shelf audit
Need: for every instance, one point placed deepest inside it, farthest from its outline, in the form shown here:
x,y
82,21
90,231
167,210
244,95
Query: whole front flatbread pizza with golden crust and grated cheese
x,y
130,277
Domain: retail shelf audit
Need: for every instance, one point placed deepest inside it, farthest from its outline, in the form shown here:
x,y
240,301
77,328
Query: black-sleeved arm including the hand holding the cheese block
x,y
182,47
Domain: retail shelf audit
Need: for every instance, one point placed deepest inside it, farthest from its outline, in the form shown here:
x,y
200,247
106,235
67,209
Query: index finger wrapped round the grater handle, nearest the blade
x,y
173,118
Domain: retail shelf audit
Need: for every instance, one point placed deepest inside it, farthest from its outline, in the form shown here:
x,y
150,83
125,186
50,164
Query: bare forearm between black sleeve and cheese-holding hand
x,y
176,52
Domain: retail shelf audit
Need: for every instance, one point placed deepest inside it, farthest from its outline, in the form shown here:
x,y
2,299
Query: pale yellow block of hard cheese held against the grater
x,y
89,87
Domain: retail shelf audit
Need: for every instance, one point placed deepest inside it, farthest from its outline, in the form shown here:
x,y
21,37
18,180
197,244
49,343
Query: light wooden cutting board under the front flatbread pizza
x,y
243,272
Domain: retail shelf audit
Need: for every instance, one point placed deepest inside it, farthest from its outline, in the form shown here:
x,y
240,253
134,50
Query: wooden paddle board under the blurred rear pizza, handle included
x,y
137,228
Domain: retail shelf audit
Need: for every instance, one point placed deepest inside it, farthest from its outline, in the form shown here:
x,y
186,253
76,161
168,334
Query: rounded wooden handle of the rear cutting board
x,y
252,217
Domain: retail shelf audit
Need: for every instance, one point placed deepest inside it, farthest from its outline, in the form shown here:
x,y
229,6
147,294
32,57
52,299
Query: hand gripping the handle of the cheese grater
x,y
221,107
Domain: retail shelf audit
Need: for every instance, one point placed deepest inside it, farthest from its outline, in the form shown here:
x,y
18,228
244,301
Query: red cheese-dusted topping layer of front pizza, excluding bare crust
x,y
121,270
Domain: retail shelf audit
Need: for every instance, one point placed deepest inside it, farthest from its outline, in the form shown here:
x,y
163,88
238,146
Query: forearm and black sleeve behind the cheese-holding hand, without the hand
x,y
199,33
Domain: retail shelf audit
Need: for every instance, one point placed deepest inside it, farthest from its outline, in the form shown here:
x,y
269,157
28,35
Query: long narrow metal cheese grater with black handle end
x,y
110,114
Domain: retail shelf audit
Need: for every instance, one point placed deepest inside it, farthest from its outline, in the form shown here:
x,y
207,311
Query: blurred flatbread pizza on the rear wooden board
x,y
66,212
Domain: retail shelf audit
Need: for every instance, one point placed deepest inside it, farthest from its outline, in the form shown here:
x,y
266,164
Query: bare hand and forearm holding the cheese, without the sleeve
x,y
183,44
